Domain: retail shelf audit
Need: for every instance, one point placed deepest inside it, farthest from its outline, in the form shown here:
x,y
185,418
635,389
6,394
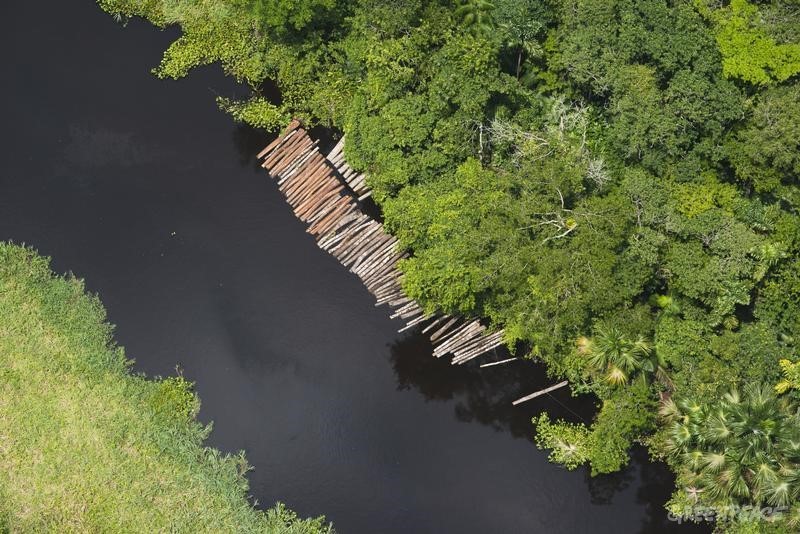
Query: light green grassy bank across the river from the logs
x,y
86,445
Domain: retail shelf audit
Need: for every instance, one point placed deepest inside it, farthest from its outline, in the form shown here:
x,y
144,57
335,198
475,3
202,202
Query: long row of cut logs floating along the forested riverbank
x,y
319,197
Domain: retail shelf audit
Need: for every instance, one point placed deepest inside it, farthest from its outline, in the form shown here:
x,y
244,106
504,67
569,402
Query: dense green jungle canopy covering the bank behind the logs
x,y
613,182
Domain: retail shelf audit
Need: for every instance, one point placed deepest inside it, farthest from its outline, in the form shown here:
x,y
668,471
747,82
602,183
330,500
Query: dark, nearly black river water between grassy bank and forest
x,y
147,191
